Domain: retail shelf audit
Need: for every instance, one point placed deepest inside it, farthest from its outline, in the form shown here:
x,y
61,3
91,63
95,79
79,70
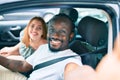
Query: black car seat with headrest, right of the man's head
x,y
94,35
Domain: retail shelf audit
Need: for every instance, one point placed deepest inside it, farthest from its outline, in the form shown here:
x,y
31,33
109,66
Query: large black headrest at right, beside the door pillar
x,y
94,31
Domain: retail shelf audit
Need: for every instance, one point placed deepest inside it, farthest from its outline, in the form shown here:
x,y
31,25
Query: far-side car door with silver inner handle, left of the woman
x,y
10,29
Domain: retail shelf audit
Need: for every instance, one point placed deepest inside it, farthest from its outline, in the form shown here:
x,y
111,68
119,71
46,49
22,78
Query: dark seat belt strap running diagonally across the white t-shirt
x,y
53,61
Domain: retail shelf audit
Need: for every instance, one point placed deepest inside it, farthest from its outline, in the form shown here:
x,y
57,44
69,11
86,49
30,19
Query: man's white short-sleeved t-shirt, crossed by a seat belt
x,y
54,71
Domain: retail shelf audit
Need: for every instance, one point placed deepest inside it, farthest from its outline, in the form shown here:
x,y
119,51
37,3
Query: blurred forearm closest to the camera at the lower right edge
x,y
109,66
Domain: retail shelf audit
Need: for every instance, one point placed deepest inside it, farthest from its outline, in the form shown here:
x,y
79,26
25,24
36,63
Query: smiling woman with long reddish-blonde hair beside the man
x,y
35,34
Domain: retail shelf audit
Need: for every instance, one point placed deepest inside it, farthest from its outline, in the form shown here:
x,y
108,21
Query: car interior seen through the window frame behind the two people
x,y
91,33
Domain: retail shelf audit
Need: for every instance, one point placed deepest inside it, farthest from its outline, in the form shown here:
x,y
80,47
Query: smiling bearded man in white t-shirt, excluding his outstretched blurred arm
x,y
60,33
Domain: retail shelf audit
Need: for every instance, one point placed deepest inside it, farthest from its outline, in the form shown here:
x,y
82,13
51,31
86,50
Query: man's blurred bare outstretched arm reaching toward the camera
x,y
107,69
